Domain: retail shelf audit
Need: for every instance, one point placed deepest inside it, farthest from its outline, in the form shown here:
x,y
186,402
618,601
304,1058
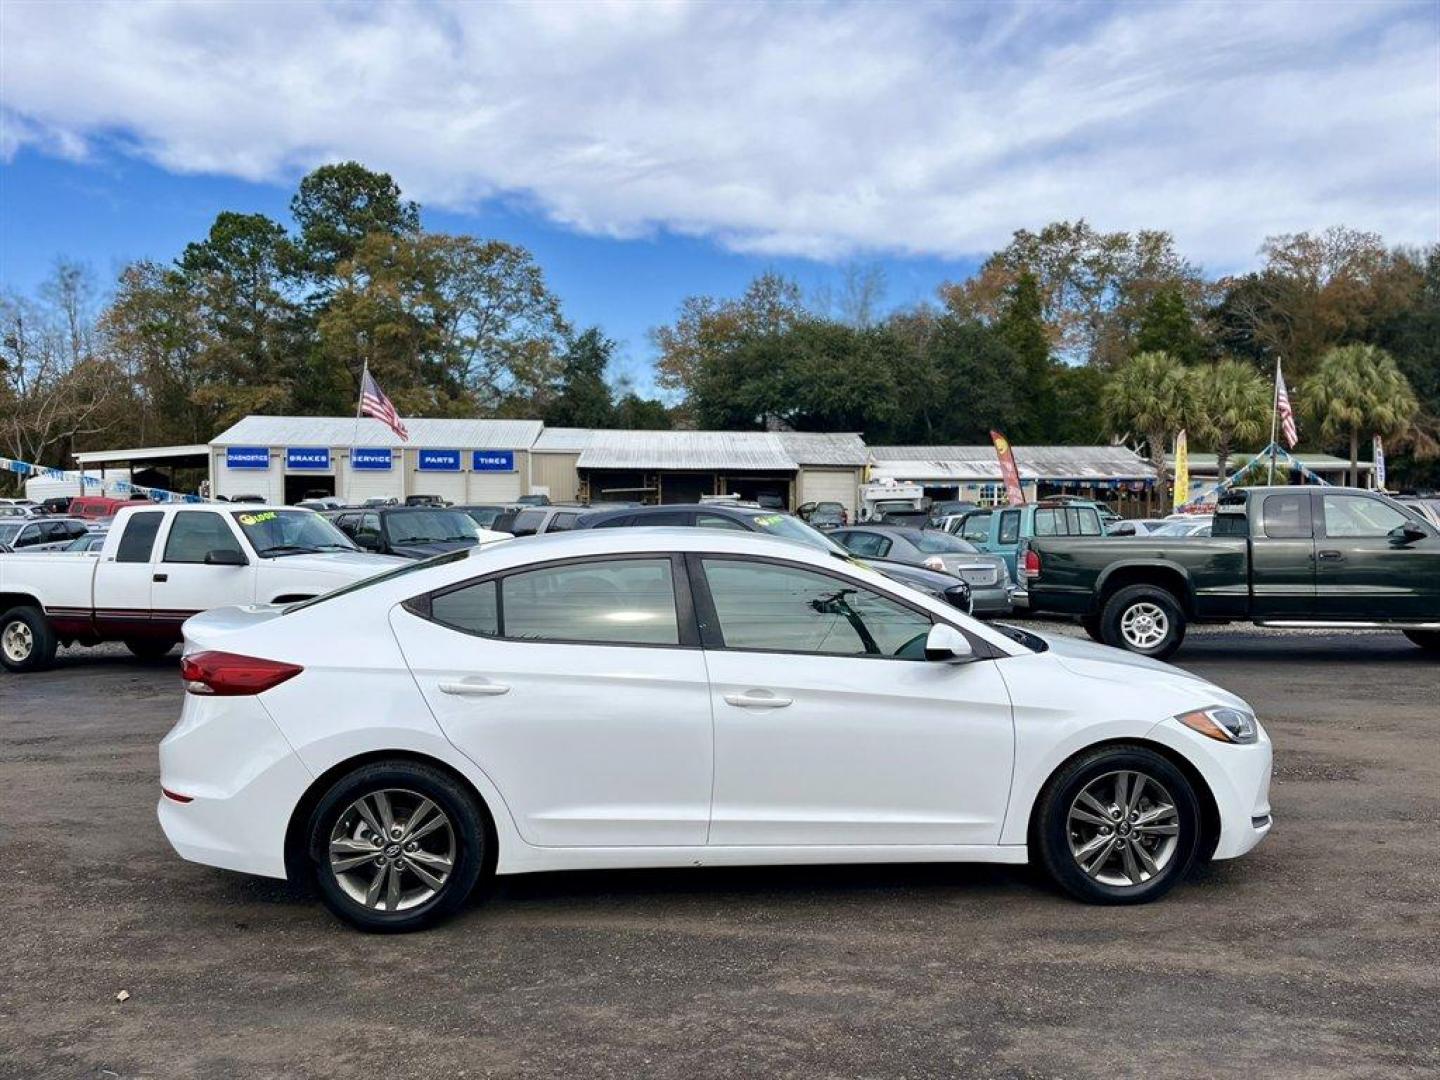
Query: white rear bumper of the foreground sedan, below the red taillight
x,y
243,780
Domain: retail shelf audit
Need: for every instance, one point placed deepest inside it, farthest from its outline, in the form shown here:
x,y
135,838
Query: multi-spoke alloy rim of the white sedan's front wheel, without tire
x,y
1124,829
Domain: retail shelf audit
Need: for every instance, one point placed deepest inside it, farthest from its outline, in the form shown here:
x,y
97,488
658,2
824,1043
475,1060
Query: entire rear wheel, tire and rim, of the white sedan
x,y
397,846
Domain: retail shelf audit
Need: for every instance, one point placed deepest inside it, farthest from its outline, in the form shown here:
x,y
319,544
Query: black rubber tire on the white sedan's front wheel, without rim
x,y
1052,834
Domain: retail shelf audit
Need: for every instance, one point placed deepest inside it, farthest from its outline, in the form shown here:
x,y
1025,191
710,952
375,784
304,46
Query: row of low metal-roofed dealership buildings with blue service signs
x,y
289,459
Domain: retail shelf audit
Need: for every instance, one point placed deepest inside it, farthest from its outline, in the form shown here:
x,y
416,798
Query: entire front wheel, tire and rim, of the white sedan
x,y
1118,826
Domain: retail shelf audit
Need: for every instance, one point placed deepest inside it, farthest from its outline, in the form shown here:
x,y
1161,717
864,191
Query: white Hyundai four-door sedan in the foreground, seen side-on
x,y
675,699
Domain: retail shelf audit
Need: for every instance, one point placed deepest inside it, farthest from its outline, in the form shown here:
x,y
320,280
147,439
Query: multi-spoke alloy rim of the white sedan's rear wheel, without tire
x,y
392,850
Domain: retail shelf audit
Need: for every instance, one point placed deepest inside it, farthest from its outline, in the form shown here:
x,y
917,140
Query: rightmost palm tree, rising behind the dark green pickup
x,y
1359,390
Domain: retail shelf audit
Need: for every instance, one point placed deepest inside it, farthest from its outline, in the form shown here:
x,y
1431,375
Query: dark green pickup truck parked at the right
x,y
1313,557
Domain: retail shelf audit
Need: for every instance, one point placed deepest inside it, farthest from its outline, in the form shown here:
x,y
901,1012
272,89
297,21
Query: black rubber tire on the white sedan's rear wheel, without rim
x,y
469,849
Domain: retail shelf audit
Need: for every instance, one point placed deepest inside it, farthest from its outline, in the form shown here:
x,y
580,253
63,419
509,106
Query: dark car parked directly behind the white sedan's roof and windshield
x,y
738,518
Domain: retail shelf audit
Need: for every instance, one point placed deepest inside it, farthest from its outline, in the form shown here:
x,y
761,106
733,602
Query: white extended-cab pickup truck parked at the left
x,y
163,564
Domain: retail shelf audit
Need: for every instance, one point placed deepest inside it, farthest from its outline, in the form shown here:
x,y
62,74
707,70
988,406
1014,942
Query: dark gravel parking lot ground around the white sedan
x,y
1318,955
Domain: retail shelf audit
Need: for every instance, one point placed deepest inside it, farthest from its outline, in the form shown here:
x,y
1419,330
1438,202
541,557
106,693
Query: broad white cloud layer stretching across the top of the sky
x,y
790,130
